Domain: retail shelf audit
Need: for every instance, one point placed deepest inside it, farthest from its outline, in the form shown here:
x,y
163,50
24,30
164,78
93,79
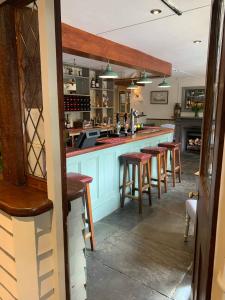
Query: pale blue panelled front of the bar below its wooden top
x,y
103,165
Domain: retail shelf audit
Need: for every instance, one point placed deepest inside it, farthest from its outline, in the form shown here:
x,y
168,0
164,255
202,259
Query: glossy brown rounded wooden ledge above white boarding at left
x,y
23,201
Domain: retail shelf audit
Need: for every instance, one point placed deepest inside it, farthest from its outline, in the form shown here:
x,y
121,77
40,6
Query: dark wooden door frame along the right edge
x,y
211,206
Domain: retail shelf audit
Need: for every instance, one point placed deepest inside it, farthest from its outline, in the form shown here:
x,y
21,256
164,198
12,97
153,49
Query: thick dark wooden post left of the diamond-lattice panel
x,y
11,134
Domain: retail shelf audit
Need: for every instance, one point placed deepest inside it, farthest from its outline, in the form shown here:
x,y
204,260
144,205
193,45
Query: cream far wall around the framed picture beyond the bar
x,y
175,94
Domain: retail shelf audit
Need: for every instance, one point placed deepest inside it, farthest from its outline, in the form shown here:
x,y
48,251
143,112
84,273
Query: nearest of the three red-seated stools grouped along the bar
x,y
142,162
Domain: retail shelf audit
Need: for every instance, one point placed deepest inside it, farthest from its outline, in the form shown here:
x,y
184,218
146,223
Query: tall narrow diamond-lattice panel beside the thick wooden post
x,y
31,88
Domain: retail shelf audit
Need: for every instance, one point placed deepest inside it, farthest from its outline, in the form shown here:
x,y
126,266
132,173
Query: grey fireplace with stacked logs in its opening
x,y
188,133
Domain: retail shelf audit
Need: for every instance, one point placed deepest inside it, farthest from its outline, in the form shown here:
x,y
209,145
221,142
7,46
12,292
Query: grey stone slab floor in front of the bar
x,y
145,257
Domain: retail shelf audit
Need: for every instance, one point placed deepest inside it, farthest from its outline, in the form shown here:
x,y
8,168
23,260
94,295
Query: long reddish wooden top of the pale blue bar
x,y
104,143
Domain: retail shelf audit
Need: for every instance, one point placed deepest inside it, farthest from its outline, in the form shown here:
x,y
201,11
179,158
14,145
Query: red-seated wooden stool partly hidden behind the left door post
x,y
86,180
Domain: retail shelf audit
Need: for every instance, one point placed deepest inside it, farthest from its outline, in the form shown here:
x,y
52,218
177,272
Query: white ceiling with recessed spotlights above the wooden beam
x,y
166,36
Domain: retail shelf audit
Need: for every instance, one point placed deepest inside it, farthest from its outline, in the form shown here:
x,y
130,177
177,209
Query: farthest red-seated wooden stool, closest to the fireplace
x,y
174,149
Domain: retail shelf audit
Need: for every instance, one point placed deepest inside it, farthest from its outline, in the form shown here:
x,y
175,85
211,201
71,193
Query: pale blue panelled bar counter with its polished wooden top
x,y
102,163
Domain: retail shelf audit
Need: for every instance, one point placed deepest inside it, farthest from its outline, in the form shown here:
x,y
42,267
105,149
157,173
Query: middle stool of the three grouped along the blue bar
x,y
161,155
